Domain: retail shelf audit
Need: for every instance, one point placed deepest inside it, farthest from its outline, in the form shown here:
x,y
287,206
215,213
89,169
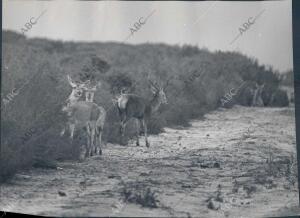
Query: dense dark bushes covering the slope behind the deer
x,y
31,114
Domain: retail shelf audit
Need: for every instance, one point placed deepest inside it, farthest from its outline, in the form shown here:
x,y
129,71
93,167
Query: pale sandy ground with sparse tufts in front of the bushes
x,y
233,163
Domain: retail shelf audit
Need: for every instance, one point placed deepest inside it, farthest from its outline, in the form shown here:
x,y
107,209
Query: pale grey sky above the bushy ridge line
x,y
214,25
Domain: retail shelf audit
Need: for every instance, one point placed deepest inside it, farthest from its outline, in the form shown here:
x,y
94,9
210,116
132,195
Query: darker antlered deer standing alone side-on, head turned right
x,y
133,106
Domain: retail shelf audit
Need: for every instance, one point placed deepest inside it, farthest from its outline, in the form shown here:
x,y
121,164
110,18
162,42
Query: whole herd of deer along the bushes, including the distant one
x,y
86,113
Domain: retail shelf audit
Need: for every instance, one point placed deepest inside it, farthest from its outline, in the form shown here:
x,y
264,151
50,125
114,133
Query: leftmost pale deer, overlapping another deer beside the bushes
x,y
84,114
